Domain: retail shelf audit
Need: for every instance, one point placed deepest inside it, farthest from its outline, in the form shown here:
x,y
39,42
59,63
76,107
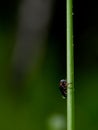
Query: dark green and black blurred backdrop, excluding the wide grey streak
x,y
41,100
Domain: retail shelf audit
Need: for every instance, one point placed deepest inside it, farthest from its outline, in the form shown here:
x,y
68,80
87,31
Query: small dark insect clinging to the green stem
x,y
63,87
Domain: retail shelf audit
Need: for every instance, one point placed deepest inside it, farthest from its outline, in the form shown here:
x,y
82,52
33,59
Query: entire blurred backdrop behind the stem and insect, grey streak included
x,y
33,61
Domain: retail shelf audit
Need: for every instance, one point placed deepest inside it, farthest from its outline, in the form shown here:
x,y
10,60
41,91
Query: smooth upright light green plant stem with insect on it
x,y
70,68
